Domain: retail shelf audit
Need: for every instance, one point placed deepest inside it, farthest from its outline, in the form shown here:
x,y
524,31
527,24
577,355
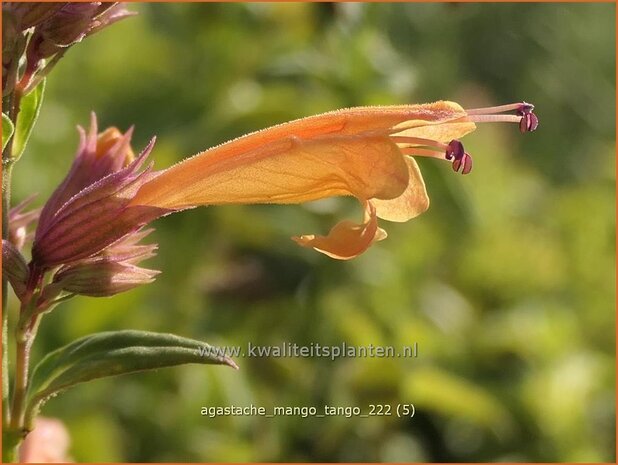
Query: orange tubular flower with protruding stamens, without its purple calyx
x,y
363,152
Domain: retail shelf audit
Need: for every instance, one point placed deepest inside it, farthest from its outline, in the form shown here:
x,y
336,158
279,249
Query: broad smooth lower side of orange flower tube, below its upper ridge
x,y
289,170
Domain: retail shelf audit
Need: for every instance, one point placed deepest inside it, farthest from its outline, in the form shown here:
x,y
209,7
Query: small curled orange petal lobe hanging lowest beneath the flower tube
x,y
346,239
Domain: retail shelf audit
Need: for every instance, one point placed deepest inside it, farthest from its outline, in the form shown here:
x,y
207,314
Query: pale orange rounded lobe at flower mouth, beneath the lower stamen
x,y
411,203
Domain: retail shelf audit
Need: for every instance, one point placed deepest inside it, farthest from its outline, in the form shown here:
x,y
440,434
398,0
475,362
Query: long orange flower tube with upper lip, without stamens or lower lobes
x,y
345,152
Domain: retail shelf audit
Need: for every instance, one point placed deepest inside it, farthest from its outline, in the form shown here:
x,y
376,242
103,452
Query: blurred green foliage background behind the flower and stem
x,y
507,283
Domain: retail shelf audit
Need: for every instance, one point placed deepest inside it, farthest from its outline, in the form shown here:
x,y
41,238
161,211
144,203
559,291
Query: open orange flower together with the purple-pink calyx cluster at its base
x,y
90,227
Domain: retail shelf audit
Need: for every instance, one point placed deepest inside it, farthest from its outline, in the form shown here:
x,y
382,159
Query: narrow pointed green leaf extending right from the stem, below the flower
x,y
114,353
